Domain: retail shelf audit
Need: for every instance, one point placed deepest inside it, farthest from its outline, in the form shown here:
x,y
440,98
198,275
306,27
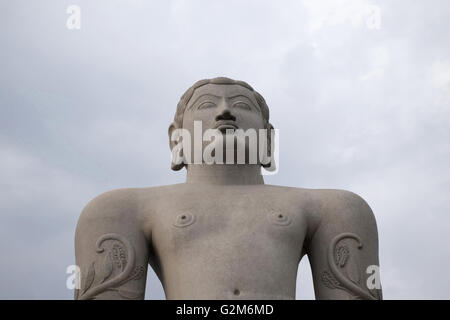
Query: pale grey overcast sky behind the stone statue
x,y
360,91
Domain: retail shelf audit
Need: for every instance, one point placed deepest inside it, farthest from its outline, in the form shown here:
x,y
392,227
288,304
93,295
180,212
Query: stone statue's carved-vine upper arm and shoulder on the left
x,y
111,249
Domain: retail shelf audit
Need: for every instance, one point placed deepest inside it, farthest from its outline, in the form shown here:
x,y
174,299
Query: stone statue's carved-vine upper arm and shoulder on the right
x,y
343,250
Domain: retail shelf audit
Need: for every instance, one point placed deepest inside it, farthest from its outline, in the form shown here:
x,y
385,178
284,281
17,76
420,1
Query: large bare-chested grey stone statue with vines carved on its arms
x,y
224,234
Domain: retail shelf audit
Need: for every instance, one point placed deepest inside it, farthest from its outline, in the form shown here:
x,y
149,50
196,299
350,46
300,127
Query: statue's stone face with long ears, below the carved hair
x,y
222,124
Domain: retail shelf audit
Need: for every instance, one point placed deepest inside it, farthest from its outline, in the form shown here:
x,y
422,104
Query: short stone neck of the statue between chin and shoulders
x,y
224,174
